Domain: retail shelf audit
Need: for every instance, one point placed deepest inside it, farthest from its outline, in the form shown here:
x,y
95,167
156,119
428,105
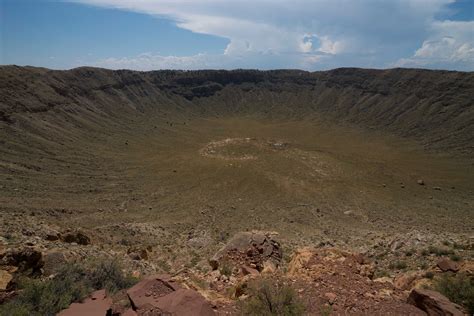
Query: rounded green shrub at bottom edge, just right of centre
x,y
268,297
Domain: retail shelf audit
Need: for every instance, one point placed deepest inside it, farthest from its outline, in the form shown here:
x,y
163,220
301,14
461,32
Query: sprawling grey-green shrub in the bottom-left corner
x,y
72,283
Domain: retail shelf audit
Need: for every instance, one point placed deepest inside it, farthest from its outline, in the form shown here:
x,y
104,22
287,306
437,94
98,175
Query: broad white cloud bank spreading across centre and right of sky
x,y
314,34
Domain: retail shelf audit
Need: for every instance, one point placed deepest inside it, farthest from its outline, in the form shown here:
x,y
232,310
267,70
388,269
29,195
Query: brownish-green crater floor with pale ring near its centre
x,y
311,181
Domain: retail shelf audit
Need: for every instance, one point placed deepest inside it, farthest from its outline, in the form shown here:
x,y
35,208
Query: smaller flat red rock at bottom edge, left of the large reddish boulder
x,y
97,305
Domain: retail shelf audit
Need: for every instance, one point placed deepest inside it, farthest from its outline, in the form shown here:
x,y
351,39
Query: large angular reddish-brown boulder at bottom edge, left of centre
x,y
161,295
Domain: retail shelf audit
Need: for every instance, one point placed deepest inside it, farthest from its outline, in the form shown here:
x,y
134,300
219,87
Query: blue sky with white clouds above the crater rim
x,y
224,34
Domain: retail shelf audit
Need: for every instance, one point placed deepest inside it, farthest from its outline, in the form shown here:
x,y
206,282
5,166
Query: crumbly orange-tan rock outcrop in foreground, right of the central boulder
x,y
341,281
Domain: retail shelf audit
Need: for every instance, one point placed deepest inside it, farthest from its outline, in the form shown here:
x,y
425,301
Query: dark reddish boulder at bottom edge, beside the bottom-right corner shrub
x,y
433,303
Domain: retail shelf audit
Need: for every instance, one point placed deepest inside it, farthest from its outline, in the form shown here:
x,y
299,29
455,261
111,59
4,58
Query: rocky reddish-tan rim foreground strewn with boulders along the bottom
x,y
323,280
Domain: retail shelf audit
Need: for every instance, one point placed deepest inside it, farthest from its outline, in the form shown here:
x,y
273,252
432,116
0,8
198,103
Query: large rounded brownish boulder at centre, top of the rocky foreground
x,y
249,248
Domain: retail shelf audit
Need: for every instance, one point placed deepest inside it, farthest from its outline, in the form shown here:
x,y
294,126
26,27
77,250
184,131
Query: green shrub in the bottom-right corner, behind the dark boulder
x,y
458,288
